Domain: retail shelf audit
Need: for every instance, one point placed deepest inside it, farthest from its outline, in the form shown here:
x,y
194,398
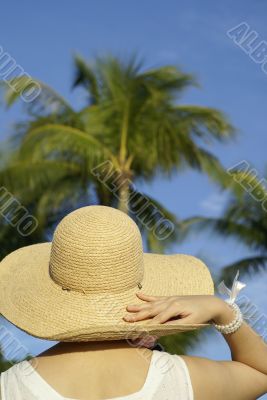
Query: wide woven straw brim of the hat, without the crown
x,y
32,301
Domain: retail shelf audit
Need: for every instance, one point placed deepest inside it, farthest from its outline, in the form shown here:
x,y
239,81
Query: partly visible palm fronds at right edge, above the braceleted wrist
x,y
244,219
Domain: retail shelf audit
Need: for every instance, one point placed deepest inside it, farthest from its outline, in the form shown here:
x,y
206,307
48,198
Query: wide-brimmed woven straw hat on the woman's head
x,y
77,287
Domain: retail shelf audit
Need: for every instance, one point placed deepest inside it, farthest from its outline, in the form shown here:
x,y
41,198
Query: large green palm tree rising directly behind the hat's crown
x,y
132,122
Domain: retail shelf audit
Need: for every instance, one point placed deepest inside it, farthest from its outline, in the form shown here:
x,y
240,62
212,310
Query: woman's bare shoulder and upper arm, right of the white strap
x,y
224,379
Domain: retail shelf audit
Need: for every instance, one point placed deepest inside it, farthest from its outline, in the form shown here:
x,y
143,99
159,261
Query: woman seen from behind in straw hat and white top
x,y
96,292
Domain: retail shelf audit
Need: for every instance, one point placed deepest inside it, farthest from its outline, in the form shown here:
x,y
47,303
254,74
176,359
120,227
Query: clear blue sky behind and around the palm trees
x,y
43,36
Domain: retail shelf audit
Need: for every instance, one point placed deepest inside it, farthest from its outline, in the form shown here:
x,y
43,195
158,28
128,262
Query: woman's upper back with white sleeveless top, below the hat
x,y
120,373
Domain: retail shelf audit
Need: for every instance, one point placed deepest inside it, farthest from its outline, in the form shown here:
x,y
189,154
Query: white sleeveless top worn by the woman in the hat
x,y
167,379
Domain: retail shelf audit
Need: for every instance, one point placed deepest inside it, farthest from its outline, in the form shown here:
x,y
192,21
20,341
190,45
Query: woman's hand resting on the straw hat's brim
x,y
196,309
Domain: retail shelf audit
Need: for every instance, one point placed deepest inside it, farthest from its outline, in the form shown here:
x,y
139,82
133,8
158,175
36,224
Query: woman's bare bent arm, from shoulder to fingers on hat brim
x,y
244,378
